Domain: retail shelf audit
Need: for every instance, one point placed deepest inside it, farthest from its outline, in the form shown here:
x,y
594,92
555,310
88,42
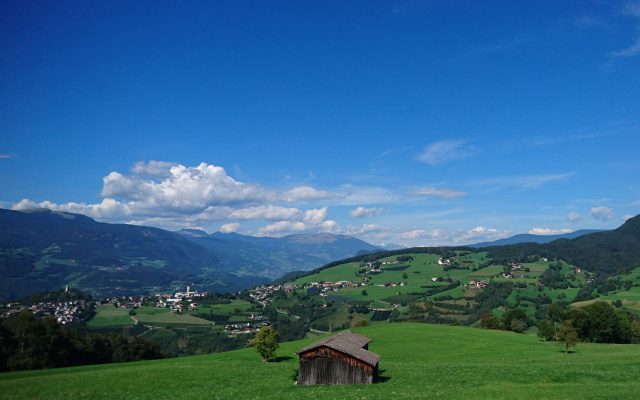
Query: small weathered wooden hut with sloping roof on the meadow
x,y
340,359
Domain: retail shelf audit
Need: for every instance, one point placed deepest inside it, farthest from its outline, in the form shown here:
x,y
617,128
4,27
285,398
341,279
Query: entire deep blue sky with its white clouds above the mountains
x,y
414,122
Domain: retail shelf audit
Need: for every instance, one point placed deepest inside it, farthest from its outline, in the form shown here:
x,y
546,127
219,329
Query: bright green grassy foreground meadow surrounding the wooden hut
x,y
418,360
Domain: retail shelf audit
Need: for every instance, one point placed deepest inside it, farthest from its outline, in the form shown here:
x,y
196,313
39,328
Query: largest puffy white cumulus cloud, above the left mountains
x,y
172,195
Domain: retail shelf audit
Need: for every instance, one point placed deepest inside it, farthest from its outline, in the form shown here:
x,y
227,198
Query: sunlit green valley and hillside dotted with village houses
x,y
380,289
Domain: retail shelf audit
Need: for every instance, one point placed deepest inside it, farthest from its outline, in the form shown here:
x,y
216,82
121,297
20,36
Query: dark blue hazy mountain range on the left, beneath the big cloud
x,y
42,250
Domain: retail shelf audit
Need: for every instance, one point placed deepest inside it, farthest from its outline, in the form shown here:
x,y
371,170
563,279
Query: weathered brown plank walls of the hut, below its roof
x,y
326,366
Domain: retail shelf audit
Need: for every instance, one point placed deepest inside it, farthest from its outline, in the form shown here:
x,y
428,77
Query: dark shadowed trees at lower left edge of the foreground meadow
x,y
28,342
